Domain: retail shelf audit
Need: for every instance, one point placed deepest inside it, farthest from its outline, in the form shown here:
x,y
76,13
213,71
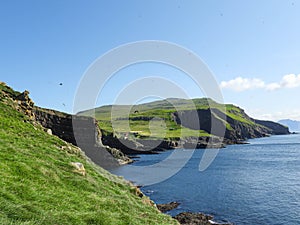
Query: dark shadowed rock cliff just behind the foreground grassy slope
x,y
83,132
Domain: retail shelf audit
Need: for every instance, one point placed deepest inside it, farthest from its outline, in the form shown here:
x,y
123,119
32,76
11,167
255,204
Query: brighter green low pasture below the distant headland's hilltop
x,y
157,125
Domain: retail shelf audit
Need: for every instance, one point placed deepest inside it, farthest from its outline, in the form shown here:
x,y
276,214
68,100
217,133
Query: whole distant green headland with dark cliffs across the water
x,y
180,122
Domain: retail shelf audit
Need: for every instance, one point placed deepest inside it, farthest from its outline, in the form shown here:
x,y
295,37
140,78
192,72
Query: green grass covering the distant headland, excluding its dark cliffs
x,y
160,109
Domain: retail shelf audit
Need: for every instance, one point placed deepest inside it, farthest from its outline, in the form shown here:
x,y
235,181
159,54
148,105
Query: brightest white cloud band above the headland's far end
x,y
242,84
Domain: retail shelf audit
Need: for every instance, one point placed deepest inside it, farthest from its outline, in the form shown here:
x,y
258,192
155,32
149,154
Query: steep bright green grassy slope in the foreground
x,y
39,186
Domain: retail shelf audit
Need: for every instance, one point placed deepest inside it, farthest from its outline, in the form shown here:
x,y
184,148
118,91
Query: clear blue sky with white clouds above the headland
x,y
252,49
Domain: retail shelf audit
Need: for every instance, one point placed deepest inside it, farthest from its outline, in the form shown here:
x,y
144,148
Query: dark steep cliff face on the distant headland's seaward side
x,y
233,130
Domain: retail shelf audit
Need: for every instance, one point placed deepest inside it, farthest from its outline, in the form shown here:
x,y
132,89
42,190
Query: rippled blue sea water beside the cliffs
x,y
257,183
